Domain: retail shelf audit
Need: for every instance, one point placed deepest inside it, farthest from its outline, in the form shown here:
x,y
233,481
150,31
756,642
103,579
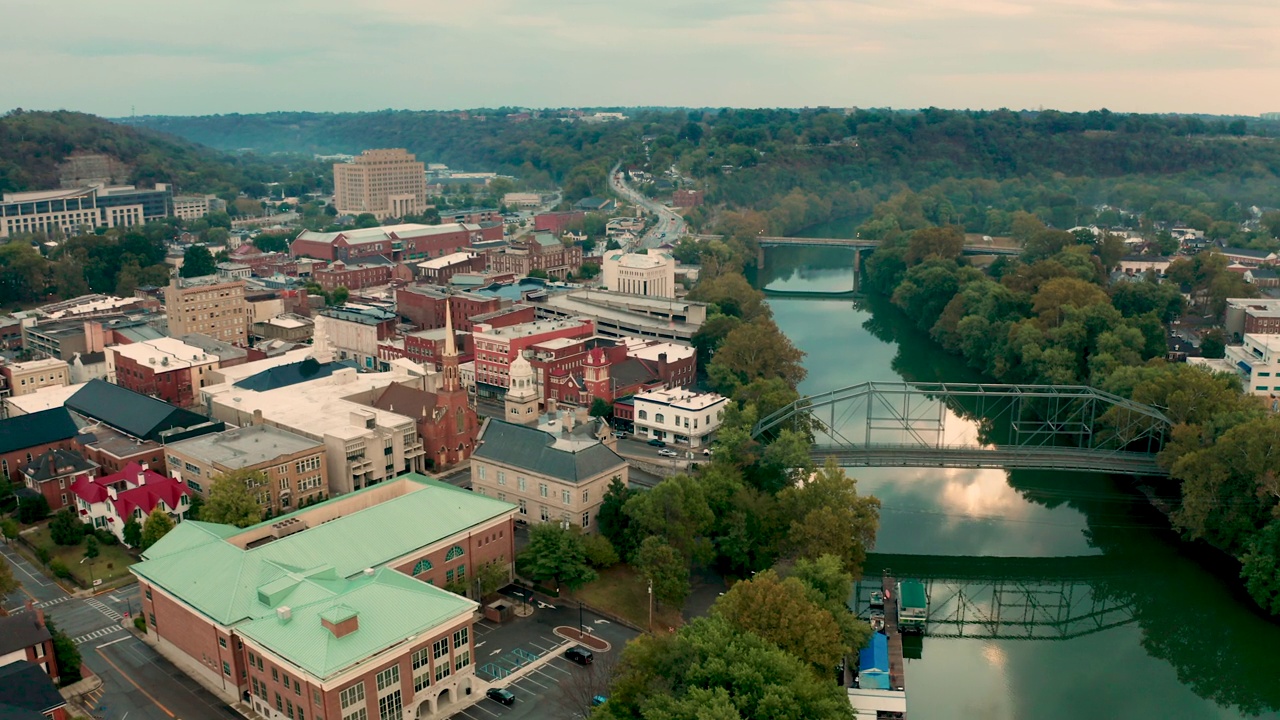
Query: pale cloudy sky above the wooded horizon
x,y
244,57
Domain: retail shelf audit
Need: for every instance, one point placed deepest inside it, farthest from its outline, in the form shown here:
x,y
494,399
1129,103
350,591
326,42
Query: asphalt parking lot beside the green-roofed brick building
x,y
527,658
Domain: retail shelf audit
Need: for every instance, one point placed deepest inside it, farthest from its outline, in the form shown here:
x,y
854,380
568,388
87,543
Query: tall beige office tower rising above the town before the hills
x,y
390,184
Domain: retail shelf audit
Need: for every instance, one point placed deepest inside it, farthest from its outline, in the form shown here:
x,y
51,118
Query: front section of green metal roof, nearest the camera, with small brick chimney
x,y
390,609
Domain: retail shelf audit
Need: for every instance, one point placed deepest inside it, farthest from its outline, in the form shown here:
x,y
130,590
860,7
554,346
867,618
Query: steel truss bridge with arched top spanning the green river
x,y
1073,429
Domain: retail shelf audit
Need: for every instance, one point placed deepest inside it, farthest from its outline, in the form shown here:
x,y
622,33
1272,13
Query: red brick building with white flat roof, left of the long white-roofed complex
x,y
166,368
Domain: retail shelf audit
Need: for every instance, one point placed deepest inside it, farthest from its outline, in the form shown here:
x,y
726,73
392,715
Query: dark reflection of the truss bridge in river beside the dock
x,y
1034,599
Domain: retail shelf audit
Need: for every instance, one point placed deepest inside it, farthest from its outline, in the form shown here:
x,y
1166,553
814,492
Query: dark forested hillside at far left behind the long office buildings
x,y
34,144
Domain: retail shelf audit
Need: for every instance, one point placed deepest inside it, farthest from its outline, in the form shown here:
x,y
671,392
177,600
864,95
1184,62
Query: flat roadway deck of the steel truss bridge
x,y
1066,459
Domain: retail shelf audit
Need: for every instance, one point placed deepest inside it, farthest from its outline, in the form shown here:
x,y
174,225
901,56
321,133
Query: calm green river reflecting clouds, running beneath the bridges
x,y
1137,626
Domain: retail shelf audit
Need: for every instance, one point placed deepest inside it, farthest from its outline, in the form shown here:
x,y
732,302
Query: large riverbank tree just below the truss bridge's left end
x,y
829,517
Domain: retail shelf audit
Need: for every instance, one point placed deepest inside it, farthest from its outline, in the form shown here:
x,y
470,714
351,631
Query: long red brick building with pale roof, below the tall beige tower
x,y
397,243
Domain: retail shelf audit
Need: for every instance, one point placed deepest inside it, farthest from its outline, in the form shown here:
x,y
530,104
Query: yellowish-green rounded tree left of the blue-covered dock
x,y
783,613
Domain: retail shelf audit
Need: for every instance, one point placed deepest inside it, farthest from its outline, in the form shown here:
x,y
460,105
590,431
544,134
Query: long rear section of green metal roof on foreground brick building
x,y
198,564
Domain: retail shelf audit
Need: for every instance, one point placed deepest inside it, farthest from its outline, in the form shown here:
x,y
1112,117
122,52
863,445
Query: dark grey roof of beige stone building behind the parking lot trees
x,y
532,449
